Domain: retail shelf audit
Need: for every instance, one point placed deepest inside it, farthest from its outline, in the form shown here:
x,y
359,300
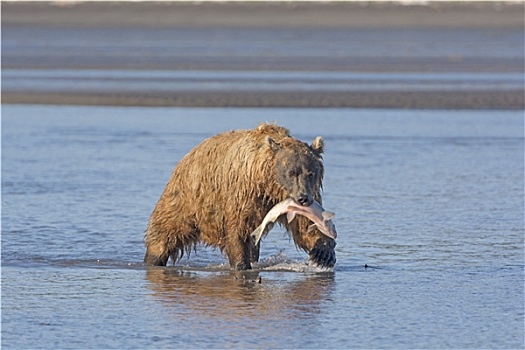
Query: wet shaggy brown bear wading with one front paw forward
x,y
222,189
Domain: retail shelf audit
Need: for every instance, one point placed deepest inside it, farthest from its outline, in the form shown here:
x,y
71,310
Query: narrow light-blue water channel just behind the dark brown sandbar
x,y
134,81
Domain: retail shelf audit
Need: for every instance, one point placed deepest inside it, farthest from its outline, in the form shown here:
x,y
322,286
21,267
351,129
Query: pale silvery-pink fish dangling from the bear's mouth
x,y
322,220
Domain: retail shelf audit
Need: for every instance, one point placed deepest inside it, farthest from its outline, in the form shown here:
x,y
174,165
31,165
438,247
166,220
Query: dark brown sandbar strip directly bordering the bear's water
x,y
362,99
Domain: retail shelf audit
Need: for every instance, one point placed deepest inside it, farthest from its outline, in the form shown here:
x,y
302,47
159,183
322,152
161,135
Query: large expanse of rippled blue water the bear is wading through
x,y
430,201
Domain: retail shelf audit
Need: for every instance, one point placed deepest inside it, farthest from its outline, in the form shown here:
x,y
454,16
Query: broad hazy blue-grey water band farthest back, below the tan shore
x,y
276,48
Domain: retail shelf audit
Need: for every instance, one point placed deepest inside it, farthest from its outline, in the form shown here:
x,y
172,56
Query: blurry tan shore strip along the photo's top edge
x,y
265,14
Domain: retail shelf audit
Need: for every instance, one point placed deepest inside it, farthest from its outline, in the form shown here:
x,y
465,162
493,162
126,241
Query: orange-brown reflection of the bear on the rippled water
x,y
240,294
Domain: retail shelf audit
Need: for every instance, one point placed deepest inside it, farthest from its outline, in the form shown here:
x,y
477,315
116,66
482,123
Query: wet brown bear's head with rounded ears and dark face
x,y
299,168
